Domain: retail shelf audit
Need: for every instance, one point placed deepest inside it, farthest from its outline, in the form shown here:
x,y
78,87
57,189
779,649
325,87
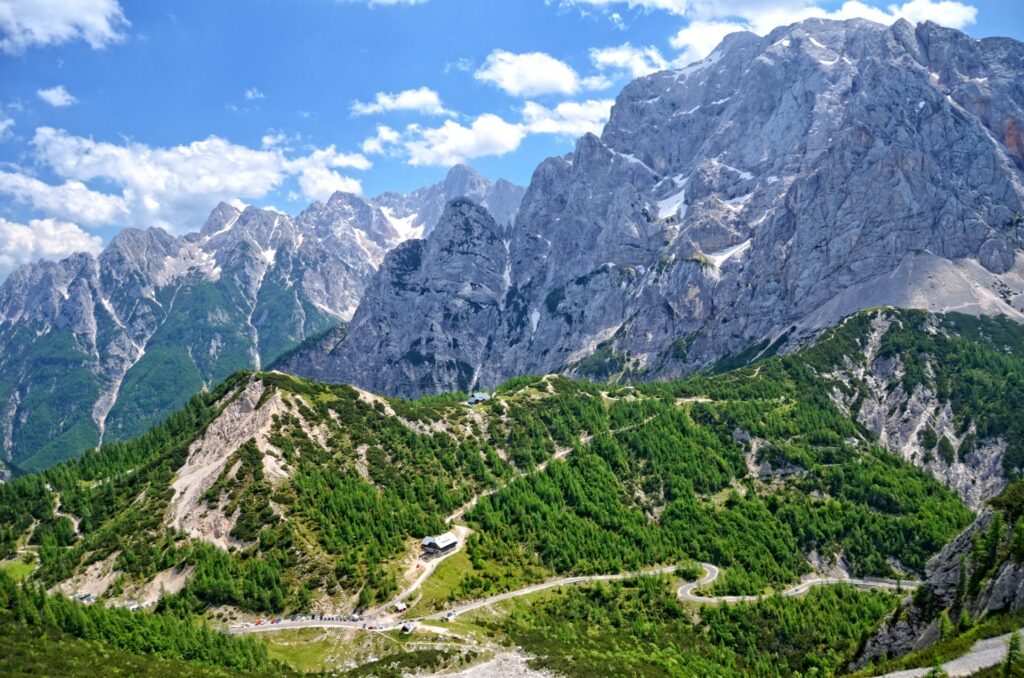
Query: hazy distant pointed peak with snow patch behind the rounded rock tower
x,y
416,215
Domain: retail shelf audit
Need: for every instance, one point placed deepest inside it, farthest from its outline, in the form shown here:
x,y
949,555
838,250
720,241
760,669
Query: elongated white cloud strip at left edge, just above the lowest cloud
x,y
72,200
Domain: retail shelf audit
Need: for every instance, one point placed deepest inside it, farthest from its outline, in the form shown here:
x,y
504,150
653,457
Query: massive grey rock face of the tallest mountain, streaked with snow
x,y
760,195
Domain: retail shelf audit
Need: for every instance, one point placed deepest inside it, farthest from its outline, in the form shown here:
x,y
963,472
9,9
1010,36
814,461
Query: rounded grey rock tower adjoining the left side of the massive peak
x,y
430,292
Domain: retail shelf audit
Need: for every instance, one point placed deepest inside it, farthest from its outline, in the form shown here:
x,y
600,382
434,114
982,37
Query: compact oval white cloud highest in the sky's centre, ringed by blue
x,y
529,75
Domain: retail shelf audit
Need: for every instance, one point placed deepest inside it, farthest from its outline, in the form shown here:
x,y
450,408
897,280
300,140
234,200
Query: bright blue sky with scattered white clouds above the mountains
x,y
138,113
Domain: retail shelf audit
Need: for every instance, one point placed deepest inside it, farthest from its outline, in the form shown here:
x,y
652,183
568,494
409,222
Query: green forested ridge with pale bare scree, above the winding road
x,y
274,493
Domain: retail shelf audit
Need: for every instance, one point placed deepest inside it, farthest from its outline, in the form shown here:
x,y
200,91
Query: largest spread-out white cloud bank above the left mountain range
x,y
174,188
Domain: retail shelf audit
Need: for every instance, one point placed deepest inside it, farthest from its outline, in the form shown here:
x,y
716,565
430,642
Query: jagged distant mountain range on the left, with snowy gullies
x,y
102,349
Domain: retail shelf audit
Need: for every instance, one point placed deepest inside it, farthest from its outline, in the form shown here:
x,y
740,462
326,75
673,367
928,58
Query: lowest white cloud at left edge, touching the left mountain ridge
x,y
41,239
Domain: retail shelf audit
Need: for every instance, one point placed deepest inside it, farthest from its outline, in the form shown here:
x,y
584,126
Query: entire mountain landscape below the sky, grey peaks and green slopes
x,y
760,344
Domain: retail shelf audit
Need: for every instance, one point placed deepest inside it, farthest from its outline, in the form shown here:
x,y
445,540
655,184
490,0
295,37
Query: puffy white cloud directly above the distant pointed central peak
x,y
452,143
